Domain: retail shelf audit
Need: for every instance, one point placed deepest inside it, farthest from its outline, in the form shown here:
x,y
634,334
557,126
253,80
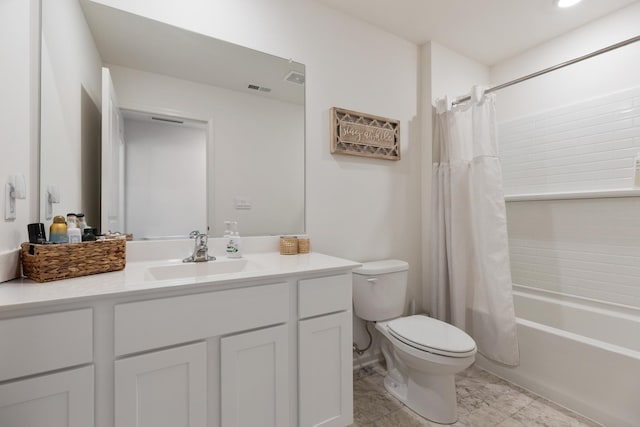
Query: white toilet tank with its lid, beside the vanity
x,y
380,289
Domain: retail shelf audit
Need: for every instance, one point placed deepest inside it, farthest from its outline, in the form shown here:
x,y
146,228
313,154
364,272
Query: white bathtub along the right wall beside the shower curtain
x,y
581,354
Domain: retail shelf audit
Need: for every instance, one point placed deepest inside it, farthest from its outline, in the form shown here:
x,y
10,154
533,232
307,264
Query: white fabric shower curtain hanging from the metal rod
x,y
470,273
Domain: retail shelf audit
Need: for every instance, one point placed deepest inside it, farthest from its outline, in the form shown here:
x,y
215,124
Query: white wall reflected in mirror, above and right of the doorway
x,y
249,133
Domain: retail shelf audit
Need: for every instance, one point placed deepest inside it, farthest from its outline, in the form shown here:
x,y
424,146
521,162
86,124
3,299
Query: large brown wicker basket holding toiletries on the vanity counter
x,y
45,263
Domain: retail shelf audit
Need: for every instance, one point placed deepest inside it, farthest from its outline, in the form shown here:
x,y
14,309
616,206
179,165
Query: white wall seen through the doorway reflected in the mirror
x,y
158,202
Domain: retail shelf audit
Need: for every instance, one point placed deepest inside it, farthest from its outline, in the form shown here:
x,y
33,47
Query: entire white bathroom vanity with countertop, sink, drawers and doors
x,y
262,340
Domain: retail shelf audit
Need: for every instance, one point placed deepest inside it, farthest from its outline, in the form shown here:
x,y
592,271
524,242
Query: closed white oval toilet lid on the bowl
x,y
432,335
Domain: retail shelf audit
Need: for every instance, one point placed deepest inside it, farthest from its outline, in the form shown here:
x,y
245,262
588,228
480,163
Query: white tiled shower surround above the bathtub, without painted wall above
x,y
583,247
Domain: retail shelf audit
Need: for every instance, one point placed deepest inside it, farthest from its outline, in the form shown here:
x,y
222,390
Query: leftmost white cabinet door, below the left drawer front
x,y
63,399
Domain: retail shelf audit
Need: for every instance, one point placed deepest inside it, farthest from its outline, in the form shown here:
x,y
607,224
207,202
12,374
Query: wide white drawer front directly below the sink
x,y
163,322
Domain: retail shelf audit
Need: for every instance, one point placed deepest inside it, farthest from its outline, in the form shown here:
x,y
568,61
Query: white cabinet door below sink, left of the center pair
x,y
165,388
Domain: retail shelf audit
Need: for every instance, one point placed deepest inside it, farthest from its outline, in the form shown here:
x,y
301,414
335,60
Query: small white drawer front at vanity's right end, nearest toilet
x,y
324,295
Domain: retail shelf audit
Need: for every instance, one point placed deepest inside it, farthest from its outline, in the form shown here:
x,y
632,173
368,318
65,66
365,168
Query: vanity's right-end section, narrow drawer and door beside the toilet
x,y
325,372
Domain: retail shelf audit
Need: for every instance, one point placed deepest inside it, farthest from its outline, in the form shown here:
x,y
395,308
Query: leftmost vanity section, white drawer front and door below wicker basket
x,y
45,370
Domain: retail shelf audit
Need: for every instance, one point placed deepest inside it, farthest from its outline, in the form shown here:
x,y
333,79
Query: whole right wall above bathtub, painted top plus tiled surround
x,y
587,248
